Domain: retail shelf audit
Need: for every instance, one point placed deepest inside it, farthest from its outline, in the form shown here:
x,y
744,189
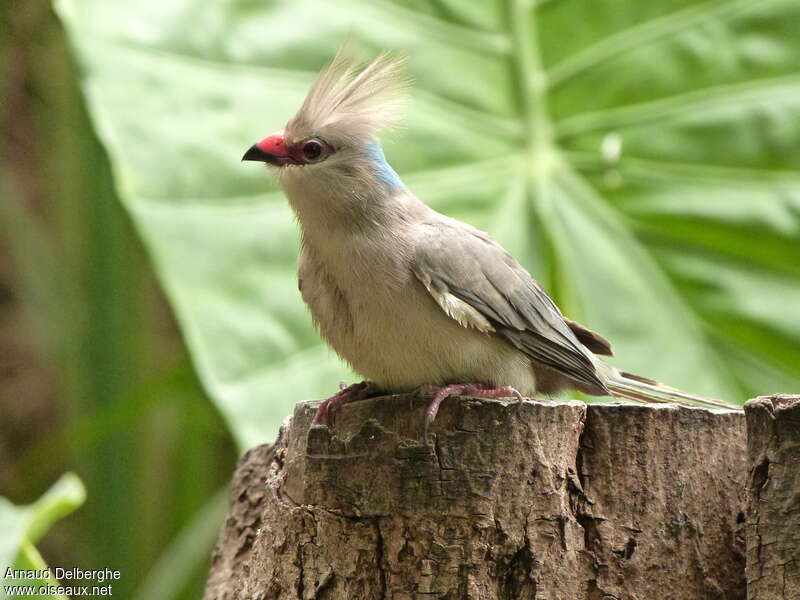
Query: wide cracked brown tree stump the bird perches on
x,y
533,501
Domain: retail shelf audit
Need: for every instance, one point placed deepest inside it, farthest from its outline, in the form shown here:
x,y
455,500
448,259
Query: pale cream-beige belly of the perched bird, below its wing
x,y
400,338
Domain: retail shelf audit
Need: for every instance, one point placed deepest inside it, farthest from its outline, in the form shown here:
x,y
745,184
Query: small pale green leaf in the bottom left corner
x,y
22,526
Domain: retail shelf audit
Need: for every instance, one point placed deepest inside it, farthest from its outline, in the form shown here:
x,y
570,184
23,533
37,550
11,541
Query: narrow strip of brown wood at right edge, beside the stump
x,y
773,515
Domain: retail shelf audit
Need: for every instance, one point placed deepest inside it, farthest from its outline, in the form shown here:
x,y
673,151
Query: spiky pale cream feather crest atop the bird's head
x,y
352,104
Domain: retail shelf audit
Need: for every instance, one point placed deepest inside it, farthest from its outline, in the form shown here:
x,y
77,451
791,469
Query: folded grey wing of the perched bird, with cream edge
x,y
480,285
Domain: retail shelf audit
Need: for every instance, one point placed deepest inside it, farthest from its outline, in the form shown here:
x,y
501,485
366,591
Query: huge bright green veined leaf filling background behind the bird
x,y
639,157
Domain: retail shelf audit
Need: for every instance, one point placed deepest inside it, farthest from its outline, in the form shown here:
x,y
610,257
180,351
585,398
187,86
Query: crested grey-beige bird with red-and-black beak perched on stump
x,y
411,299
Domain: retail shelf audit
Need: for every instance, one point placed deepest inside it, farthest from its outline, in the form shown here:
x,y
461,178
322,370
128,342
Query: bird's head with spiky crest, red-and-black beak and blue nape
x,y
333,135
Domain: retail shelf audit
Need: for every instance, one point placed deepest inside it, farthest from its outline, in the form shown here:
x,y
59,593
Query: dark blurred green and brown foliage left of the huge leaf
x,y
103,385
